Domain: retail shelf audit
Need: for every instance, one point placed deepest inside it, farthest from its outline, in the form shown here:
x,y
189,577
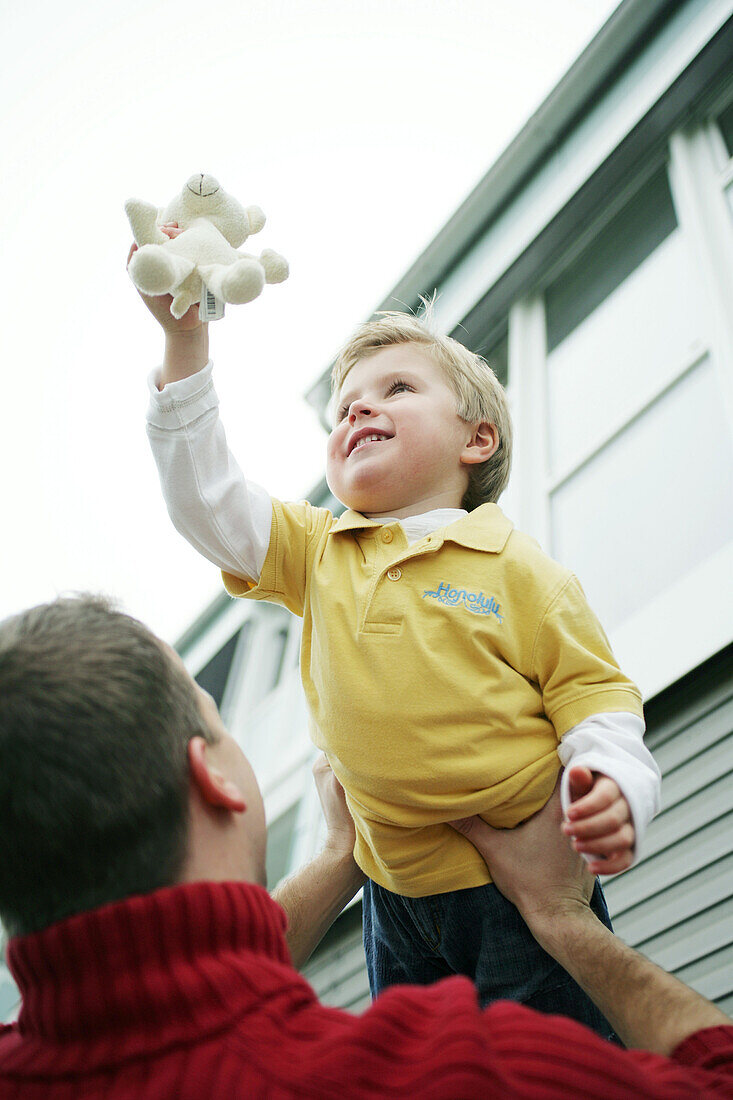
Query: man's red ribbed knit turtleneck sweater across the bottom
x,y
189,994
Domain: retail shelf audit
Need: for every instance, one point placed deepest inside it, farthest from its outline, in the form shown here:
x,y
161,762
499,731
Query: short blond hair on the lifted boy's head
x,y
479,394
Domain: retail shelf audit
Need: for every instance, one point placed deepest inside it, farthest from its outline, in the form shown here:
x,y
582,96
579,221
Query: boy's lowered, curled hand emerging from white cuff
x,y
599,822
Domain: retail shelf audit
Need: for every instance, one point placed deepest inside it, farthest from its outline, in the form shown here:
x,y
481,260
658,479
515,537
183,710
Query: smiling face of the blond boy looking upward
x,y
399,446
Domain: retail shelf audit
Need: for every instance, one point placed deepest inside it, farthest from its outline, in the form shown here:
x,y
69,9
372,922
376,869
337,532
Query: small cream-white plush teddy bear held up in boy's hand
x,y
214,226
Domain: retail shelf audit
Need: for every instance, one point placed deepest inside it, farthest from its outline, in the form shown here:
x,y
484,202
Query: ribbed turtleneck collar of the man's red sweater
x,y
137,976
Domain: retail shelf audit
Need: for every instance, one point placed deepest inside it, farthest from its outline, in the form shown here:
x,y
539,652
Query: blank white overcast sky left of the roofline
x,y
359,126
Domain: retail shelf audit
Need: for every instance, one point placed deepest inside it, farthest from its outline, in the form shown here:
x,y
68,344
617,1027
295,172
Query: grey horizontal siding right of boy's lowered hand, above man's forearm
x,y
676,905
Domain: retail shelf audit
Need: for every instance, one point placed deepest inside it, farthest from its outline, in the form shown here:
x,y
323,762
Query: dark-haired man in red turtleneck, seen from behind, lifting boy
x,y
152,962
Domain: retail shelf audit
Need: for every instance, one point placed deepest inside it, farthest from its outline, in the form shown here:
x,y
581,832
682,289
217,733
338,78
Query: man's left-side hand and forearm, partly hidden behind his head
x,y
315,896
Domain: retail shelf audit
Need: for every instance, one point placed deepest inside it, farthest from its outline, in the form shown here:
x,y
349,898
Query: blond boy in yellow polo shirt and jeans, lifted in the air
x,y
450,666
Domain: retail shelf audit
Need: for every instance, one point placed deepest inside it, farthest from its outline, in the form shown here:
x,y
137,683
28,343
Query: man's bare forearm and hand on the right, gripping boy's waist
x,y
551,885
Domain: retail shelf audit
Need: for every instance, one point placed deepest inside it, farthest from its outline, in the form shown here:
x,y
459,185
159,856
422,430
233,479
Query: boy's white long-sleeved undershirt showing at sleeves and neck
x,y
228,520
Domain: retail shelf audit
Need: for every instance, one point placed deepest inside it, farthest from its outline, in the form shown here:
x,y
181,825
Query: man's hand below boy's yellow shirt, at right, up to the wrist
x,y
533,865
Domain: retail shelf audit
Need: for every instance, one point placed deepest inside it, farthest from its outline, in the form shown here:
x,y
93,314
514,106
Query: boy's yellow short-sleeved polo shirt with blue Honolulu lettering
x,y
440,677
